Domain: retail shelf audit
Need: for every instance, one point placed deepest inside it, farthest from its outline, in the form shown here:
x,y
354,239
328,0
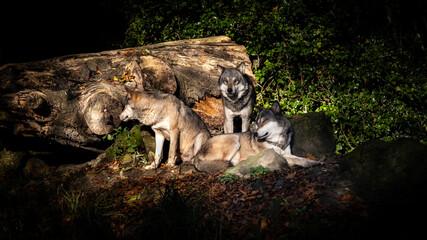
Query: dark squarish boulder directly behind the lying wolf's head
x,y
313,135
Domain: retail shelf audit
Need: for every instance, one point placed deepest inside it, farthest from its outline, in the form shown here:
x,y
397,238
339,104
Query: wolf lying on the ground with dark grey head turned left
x,y
271,130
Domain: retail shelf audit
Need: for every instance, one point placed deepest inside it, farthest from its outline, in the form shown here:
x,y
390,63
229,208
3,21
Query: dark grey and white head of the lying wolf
x,y
272,126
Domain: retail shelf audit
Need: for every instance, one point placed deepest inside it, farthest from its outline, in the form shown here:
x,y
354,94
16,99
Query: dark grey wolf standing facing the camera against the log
x,y
238,96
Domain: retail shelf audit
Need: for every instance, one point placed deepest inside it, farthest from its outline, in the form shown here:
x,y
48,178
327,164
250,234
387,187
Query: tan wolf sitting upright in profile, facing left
x,y
170,119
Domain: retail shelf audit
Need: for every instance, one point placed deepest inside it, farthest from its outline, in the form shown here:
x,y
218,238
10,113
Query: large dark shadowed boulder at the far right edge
x,y
380,169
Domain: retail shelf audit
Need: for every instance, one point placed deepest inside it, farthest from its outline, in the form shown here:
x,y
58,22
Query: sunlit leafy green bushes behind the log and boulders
x,y
309,58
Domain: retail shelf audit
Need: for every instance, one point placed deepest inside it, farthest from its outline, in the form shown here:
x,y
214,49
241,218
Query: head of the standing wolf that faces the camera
x,y
232,82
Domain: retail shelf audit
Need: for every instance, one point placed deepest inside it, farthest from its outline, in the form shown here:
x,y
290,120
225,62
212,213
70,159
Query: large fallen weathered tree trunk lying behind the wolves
x,y
76,99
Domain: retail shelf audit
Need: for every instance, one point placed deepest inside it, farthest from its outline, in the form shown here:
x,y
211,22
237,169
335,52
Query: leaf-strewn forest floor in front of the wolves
x,y
124,201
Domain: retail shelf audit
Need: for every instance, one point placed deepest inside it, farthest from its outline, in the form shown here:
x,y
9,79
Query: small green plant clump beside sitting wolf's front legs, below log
x,y
126,145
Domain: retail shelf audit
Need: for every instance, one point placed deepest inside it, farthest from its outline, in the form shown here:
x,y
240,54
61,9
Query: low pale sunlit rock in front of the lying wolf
x,y
267,158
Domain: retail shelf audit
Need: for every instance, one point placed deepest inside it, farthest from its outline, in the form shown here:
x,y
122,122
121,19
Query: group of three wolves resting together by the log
x,y
189,138
